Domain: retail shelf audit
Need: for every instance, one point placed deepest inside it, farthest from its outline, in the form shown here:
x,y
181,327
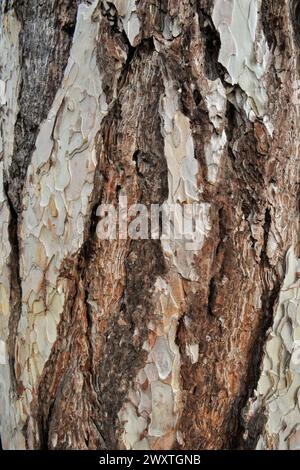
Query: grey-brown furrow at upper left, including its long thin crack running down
x,y
35,98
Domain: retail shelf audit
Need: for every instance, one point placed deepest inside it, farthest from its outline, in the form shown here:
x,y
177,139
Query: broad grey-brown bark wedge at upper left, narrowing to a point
x,y
45,39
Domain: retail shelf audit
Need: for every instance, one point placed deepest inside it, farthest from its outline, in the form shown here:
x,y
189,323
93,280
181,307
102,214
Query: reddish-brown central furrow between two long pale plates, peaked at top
x,y
112,347
